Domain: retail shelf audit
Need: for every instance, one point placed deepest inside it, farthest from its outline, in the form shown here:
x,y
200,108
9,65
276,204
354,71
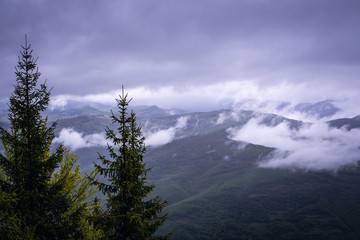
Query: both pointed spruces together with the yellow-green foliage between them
x,y
43,194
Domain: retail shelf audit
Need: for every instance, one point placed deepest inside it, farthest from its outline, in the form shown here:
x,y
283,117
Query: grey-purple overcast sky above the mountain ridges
x,y
195,53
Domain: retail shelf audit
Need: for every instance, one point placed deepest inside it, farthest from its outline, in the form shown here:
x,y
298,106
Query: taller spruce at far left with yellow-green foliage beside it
x,y
35,203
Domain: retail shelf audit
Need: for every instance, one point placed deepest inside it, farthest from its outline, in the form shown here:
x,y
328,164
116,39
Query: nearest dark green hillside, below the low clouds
x,y
216,191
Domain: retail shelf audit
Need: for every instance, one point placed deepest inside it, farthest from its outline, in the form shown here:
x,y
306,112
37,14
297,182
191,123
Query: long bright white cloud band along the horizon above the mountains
x,y
249,94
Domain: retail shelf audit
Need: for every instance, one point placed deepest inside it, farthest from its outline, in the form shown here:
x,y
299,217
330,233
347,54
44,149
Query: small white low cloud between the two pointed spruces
x,y
75,140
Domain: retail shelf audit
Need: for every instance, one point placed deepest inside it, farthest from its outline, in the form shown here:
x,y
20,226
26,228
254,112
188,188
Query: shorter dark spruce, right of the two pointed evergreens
x,y
130,213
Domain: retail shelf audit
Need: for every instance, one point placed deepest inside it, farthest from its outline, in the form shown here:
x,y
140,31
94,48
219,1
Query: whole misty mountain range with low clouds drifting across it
x,y
226,179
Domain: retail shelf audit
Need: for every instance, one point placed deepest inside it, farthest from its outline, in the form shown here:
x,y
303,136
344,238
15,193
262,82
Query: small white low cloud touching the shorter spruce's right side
x,y
164,136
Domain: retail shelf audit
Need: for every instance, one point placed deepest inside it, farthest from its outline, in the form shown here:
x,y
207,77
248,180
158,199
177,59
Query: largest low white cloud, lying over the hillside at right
x,y
312,147
